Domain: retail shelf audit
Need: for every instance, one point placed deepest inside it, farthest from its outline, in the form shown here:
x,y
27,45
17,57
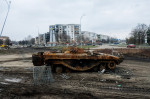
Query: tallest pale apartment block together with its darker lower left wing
x,y
58,34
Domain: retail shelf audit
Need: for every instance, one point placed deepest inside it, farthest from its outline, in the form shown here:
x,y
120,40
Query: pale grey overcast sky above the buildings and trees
x,y
115,18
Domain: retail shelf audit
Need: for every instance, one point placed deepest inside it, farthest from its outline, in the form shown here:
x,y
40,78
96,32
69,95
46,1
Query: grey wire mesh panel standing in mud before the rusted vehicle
x,y
42,75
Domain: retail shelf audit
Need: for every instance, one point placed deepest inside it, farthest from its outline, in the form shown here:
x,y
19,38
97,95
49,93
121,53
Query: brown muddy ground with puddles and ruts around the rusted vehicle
x,y
130,79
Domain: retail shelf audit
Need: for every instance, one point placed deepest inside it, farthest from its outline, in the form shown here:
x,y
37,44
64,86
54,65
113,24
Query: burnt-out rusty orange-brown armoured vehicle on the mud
x,y
76,59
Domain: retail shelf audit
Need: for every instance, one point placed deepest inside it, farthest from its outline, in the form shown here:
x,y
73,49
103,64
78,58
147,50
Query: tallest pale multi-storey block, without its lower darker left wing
x,y
63,33
